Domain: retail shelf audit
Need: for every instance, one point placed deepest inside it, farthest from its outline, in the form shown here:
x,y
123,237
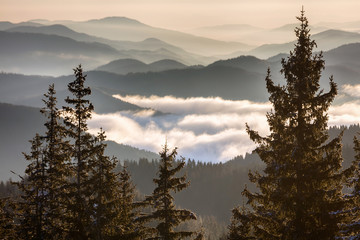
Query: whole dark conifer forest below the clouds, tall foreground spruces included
x,y
301,182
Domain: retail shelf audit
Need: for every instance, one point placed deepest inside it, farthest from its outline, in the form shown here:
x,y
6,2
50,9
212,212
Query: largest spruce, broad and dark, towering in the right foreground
x,y
300,190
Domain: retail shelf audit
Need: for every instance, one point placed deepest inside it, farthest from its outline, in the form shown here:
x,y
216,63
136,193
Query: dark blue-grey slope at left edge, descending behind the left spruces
x,y
19,124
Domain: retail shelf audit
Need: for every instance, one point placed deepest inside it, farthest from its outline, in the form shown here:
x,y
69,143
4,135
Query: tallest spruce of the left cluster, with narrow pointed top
x,y
82,151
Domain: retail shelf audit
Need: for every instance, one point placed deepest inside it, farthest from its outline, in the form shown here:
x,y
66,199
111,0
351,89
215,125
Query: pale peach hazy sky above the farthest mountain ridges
x,y
184,14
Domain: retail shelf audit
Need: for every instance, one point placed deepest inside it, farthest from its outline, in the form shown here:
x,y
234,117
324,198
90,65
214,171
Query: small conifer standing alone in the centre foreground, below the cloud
x,y
165,212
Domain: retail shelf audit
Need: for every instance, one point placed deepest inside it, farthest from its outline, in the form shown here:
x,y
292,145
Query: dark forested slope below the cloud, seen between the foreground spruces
x,y
219,185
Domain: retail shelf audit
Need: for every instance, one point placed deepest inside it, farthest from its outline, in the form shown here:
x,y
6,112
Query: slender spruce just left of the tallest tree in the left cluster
x,y
58,170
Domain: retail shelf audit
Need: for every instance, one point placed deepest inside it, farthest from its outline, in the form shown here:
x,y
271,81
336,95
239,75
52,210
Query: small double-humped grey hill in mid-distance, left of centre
x,y
125,66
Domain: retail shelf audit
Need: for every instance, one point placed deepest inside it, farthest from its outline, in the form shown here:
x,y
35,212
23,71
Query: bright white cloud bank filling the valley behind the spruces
x,y
206,129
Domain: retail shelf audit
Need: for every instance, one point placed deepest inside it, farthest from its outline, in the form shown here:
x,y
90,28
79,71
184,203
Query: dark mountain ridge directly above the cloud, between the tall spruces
x,y
223,81
